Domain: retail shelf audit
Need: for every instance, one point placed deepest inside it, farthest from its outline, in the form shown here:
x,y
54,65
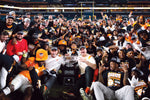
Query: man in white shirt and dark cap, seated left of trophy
x,y
53,64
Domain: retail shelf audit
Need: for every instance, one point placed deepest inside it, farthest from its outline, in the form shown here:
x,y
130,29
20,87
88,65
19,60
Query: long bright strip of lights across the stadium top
x,y
71,8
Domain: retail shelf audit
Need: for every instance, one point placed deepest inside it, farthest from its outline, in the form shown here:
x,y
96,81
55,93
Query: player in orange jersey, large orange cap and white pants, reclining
x,y
24,80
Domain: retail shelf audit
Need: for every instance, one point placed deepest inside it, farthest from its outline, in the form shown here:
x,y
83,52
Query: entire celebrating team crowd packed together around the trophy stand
x,y
113,55
